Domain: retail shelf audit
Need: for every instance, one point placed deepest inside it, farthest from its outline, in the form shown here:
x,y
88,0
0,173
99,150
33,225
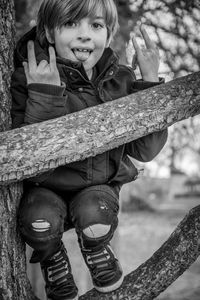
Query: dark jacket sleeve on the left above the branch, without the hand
x,y
36,102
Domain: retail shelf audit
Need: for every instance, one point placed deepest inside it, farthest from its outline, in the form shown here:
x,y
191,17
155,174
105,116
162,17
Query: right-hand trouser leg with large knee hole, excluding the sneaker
x,y
94,213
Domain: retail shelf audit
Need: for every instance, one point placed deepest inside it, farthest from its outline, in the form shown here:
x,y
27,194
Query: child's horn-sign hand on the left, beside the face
x,y
44,72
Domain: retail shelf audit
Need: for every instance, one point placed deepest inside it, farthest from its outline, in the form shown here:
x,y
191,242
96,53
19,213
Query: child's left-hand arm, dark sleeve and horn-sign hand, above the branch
x,y
42,99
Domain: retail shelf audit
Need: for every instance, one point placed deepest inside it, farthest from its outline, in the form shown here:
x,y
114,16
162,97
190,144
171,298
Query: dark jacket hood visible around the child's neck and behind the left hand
x,y
108,58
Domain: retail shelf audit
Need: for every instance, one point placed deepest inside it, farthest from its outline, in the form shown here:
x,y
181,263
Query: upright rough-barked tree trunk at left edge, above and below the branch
x,y
13,280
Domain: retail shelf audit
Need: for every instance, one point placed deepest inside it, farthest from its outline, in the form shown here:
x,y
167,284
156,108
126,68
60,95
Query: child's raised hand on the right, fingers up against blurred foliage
x,y
148,58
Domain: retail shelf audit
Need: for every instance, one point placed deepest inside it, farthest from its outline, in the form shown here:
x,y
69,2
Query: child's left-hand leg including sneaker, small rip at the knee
x,y
41,219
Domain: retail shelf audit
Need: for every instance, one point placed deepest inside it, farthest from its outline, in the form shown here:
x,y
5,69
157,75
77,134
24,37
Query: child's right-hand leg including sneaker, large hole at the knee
x,y
94,213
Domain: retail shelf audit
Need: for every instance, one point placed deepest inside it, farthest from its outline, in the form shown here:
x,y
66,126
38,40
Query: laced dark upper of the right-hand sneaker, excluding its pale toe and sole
x,y
101,263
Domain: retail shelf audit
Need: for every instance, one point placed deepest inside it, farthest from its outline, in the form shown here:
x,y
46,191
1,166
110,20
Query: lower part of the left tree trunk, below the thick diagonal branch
x,y
14,284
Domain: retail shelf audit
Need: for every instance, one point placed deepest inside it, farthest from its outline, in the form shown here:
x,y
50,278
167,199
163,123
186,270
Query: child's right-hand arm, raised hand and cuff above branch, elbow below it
x,y
146,148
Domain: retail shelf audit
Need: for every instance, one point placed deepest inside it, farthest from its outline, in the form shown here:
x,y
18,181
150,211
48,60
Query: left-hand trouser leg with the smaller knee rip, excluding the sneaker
x,y
41,221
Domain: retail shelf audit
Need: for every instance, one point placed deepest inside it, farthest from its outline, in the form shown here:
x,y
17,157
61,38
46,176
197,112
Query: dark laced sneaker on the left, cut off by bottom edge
x,y
59,280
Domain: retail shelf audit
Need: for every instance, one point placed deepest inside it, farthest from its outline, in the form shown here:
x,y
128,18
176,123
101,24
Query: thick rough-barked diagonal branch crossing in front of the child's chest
x,y
39,147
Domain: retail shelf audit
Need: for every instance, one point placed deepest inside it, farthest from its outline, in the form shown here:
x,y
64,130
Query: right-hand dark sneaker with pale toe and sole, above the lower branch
x,y
105,269
